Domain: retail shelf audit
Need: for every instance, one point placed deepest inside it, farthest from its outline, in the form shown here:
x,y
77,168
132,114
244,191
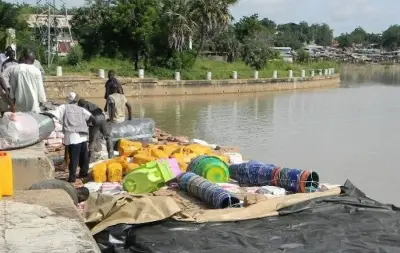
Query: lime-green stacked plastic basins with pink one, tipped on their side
x,y
151,176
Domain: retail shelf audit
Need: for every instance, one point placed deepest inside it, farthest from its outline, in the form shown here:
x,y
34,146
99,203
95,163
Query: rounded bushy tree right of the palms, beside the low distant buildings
x,y
258,50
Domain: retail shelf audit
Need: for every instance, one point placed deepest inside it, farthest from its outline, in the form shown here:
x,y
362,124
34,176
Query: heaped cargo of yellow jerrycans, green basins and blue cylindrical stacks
x,y
200,170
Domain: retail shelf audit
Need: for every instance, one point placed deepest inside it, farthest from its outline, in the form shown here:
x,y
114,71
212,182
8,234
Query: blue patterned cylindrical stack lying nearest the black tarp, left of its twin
x,y
208,192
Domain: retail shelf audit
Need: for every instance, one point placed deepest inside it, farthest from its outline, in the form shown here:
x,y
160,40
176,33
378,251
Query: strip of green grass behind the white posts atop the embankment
x,y
219,69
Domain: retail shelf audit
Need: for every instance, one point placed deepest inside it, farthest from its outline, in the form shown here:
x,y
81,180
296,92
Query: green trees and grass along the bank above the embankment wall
x,y
127,35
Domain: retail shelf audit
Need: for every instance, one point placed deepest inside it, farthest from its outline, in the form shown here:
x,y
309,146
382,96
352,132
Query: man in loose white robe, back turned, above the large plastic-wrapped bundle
x,y
26,84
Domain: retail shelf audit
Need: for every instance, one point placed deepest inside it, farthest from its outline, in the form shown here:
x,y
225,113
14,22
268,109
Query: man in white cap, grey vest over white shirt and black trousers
x,y
76,132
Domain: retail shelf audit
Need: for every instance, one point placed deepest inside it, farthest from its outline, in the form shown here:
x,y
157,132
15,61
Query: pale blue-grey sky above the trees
x,y
341,15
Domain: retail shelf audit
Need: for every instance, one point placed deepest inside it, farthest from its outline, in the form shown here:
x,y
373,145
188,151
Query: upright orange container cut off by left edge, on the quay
x,y
6,174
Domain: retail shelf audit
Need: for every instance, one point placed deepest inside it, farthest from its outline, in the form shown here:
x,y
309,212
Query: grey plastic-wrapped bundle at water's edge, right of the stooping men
x,y
135,129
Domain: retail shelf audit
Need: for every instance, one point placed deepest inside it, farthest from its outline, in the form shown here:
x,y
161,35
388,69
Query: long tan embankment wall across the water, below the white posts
x,y
92,87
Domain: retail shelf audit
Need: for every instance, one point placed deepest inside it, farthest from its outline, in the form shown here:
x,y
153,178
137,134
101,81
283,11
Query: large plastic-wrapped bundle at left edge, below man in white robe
x,y
18,130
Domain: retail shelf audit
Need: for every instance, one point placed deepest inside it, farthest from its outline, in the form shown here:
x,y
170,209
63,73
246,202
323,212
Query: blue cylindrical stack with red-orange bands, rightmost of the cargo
x,y
258,174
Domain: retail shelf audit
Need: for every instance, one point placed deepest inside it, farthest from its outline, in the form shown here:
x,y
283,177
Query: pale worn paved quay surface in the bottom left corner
x,y
44,221
